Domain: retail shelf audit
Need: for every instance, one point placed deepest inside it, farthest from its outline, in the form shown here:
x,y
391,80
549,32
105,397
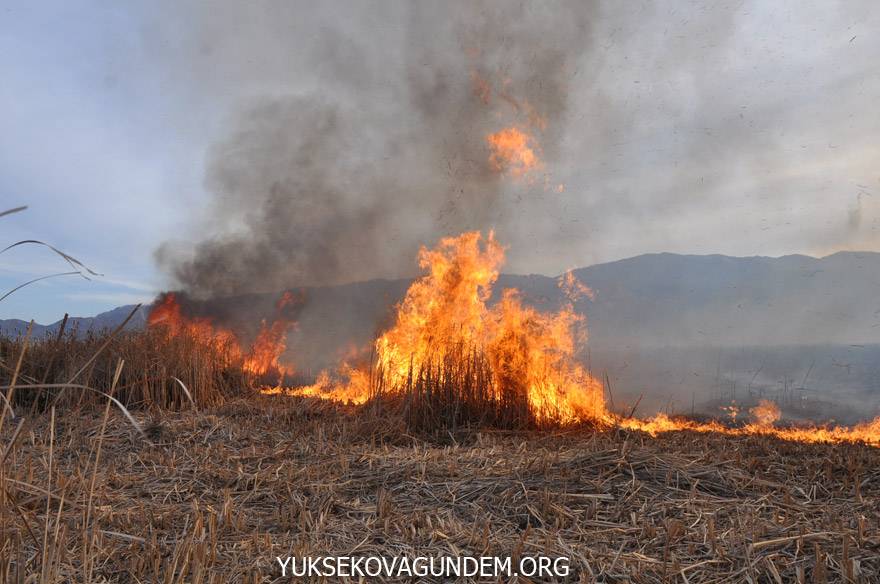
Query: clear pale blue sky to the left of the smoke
x,y
94,147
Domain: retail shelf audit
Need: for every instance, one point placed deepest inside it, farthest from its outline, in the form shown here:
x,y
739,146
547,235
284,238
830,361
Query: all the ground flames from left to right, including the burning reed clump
x,y
451,360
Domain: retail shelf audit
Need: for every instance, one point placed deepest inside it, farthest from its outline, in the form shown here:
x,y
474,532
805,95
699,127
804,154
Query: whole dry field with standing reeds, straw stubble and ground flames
x,y
468,427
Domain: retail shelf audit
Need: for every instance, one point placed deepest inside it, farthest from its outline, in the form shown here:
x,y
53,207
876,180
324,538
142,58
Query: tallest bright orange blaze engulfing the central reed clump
x,y
447,310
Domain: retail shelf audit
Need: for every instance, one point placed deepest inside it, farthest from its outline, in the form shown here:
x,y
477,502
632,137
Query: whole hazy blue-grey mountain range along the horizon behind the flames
x,y
650,300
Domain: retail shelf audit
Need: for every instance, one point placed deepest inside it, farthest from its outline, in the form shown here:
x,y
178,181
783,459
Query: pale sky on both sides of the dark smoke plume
x,y
744,128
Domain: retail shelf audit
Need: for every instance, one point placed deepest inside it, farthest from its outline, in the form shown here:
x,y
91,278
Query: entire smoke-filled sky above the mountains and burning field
x,y
141,134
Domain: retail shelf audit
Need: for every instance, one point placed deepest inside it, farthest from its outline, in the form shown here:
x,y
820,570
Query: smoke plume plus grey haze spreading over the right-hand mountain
x,y
361,133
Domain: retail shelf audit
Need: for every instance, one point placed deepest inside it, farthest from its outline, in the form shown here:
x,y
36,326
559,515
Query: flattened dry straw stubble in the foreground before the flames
x,y
215,494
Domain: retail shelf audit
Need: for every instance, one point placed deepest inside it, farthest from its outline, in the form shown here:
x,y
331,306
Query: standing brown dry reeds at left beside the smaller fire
x,y
158,368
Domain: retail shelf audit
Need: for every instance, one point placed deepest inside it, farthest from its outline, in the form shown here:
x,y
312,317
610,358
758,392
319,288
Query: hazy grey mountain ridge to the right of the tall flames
x,y
668,299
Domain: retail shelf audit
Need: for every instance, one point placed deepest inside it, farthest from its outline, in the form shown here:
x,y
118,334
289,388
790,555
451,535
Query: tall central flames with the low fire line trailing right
x,y
448,307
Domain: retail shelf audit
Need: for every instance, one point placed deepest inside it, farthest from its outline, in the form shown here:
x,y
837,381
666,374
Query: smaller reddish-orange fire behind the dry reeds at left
x,y
260,359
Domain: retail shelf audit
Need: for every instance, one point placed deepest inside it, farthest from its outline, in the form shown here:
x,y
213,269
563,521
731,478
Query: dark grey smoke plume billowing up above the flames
x,y
384,149
